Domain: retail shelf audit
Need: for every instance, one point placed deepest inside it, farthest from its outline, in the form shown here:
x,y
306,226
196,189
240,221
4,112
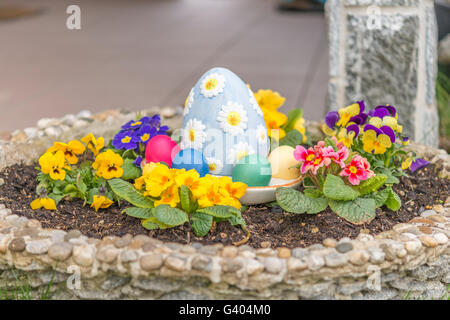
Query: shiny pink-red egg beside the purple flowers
x,y
161,148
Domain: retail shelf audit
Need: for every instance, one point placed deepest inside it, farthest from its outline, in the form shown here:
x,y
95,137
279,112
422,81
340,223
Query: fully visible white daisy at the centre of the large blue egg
x,y
233,118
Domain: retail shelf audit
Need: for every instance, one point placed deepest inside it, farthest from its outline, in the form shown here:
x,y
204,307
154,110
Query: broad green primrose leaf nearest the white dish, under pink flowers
x,y
294,201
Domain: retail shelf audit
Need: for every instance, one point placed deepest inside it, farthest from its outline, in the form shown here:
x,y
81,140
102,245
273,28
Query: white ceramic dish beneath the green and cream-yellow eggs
x,y
258,195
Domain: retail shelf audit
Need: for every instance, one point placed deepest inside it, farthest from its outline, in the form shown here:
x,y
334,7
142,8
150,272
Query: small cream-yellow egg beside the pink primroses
x,y
282,160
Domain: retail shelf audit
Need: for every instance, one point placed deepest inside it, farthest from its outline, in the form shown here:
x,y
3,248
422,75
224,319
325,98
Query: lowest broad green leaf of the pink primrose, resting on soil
x,y
358,211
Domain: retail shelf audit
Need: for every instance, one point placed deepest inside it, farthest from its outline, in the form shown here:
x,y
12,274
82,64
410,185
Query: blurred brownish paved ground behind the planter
x,y
135,54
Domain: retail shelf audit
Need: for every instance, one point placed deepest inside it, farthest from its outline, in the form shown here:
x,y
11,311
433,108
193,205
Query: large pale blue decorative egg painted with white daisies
x,y
223,121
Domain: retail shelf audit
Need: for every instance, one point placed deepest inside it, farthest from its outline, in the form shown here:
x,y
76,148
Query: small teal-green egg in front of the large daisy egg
x,y
253,170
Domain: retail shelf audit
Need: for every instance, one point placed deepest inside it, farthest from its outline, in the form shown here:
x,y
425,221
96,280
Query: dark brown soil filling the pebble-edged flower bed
x,y
266,223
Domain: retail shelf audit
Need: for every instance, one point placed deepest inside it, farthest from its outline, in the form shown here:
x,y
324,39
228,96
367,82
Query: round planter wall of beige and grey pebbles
x,y
411,260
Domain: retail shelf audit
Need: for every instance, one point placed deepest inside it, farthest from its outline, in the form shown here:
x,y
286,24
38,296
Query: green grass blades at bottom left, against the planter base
x,y
22,289
